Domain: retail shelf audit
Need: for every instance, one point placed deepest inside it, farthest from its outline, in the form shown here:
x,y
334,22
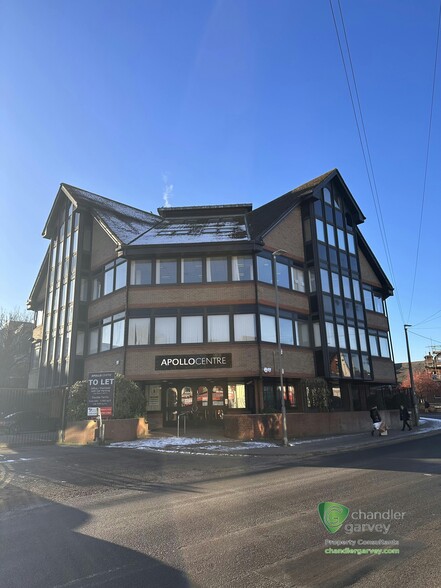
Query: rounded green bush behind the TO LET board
x,y
129,401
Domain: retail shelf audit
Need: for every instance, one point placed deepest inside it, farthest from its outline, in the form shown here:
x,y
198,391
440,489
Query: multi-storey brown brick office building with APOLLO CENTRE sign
x,y
184,302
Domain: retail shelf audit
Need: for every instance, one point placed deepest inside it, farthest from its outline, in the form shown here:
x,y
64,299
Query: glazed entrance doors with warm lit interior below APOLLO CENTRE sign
x,y
201,400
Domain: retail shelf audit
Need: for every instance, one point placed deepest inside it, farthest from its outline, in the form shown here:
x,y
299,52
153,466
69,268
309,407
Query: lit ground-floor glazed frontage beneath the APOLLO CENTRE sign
x,y
200,400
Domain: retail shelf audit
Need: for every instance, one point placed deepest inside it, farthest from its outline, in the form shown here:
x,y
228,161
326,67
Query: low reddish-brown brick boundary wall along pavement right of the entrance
x,y
269,426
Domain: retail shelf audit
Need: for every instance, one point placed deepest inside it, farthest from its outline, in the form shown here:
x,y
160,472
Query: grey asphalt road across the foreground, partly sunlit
x,y
97,516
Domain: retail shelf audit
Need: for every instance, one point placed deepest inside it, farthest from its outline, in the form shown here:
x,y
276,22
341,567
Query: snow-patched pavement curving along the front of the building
x,y
204,442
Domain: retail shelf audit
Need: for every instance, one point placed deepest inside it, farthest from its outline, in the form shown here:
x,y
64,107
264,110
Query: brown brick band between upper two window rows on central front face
x,y
192,295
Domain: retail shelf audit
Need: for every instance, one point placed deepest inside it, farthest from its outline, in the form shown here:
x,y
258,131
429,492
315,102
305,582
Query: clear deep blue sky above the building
x,y
222,101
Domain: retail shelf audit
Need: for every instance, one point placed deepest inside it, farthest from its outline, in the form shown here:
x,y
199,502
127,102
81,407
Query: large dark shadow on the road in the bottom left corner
x,y
41,548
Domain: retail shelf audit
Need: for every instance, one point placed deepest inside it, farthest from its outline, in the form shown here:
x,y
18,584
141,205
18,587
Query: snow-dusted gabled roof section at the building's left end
x,y
123,223
